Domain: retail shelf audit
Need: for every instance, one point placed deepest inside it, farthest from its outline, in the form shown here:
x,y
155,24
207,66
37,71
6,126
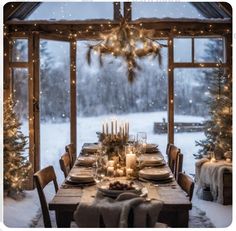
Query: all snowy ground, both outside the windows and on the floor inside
x,y
54,137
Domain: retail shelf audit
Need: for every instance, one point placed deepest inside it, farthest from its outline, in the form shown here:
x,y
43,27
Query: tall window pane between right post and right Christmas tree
x,y
191,91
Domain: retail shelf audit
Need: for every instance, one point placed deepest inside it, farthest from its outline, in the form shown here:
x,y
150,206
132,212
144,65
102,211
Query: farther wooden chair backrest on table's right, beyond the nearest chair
x,y
175,160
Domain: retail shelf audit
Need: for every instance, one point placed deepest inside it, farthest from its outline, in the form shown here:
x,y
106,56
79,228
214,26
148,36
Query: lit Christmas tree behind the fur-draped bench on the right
x,y
218,128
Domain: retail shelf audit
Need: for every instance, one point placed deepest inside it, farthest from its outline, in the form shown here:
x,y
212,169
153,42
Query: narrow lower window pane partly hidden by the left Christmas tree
x,y
21,98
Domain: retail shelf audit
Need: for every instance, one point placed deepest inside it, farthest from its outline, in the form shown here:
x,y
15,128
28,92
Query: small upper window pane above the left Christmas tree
x,y
20,50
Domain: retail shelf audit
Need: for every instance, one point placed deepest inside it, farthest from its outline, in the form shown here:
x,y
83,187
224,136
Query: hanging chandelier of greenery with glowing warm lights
x,y
129,42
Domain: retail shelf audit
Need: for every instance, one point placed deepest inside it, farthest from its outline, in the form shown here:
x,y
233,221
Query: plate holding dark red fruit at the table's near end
x,y
104,188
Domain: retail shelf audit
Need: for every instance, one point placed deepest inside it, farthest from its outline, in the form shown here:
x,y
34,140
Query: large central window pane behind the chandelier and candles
x,y
103,92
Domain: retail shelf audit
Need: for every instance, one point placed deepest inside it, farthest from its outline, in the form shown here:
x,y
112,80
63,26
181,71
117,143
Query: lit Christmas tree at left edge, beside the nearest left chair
x,y
16,165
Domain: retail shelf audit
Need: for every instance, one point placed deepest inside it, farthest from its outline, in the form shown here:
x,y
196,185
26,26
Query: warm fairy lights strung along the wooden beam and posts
x,y
107,27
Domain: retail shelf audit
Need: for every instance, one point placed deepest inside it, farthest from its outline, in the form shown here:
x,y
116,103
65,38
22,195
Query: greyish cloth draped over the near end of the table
x,y
128,210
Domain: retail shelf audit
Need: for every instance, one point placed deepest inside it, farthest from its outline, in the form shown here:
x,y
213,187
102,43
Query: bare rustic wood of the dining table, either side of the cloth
x,y
175,210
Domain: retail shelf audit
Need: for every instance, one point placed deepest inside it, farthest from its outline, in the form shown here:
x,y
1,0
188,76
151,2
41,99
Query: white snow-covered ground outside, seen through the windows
x,y
55,136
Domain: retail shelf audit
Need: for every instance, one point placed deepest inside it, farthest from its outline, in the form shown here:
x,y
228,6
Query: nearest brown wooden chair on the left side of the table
x,y
41,179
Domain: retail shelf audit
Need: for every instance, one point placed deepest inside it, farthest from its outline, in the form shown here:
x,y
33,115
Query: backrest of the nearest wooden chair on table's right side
x,y
186,183
